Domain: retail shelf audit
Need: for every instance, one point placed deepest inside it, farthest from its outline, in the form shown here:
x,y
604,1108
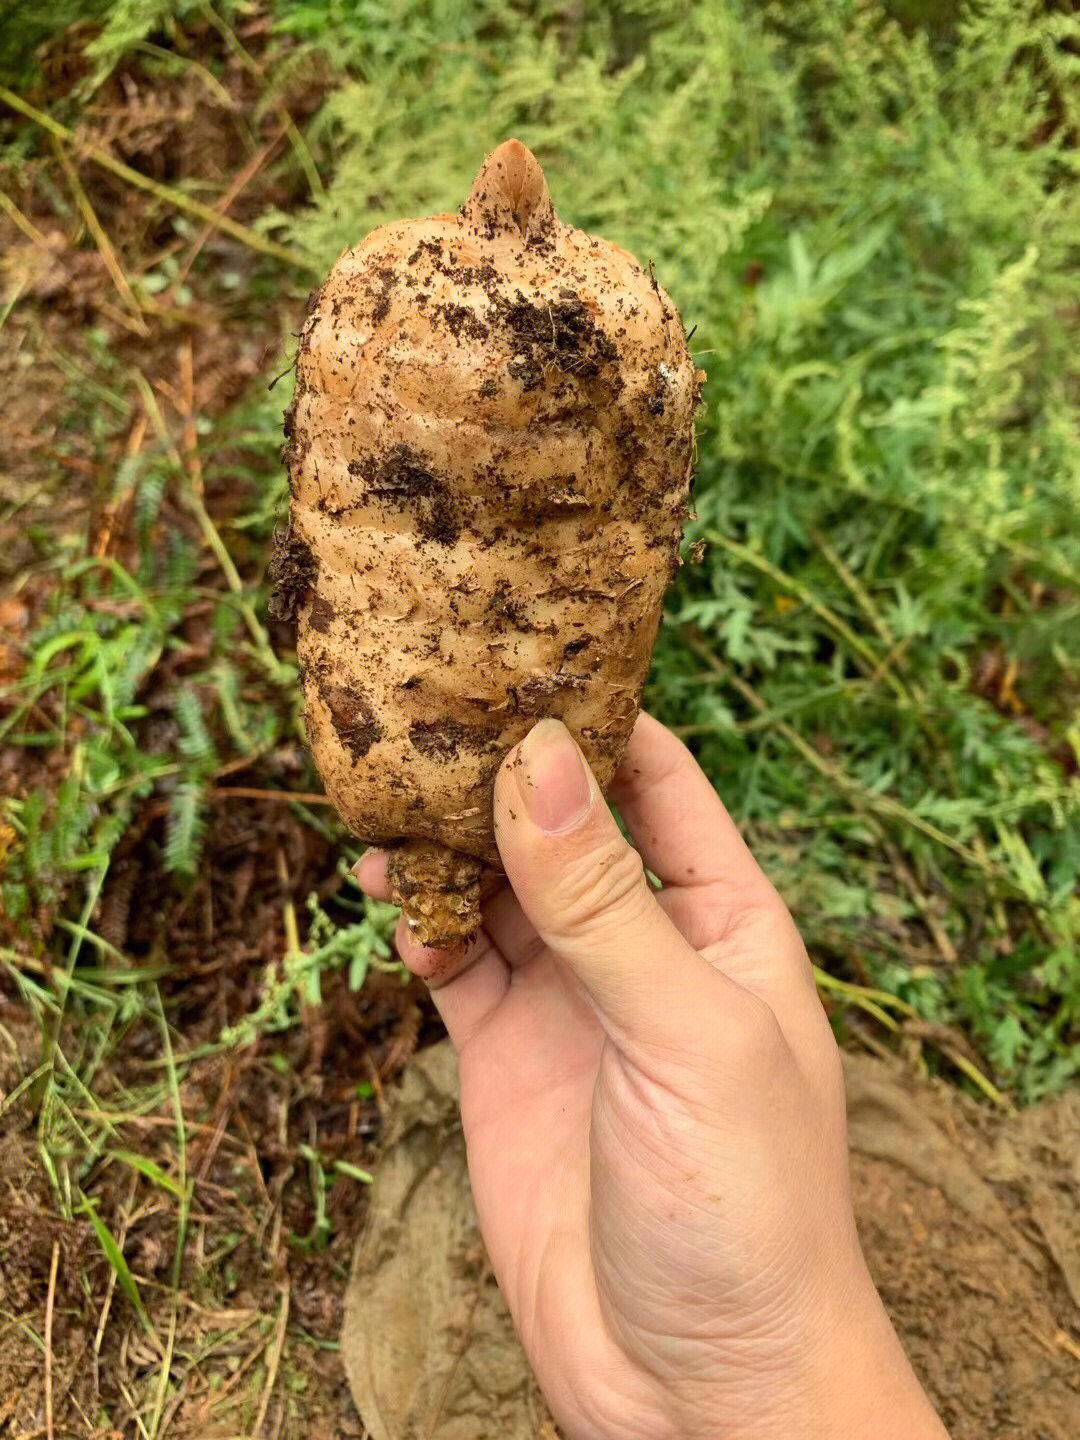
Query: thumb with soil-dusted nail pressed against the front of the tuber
x,y
585,891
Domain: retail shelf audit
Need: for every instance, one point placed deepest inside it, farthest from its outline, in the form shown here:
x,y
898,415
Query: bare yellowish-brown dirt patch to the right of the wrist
x,y
971,1225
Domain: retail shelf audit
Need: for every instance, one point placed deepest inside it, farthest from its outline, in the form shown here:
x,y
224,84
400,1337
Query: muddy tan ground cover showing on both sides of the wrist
x,y
971,1223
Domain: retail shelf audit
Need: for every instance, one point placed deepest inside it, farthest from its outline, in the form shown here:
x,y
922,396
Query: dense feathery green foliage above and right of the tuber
x,y
875,230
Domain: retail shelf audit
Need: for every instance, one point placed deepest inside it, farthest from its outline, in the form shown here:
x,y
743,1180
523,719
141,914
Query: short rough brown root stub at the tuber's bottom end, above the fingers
x,y
438,892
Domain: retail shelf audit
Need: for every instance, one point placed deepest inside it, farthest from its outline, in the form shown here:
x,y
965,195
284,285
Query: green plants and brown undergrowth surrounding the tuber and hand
x,y
869,214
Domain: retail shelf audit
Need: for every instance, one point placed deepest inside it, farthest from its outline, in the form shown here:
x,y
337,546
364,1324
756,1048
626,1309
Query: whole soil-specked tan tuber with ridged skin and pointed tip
x,y
490,457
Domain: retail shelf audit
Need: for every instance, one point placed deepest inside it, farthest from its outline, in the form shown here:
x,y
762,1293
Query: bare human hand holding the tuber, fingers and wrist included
x,y
654,1112
